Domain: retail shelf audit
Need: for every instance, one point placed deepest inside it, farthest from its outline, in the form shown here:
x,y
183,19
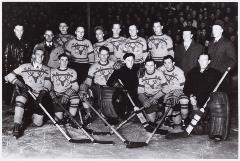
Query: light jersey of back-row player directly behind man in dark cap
x,y
138,47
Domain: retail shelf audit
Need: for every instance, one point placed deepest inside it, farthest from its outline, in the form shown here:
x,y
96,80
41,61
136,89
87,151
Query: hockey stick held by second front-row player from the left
x,y
83,129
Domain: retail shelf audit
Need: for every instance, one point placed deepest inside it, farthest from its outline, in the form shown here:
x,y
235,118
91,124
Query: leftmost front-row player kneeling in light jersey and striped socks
x,y
36,77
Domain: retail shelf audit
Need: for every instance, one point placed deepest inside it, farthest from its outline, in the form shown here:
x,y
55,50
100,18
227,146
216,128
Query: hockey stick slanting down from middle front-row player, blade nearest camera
x,y
129,144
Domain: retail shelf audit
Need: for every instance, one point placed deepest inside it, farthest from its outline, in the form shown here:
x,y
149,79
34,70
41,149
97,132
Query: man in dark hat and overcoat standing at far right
x,y
220,49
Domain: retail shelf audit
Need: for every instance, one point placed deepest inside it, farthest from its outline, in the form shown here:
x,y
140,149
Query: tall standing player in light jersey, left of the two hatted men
x,y
160,44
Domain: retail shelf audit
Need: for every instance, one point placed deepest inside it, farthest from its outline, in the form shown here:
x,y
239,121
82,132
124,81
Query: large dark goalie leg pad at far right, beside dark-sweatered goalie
x,y
219,116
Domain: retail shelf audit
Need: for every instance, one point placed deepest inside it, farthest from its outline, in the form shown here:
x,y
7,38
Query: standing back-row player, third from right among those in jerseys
x,y
118,42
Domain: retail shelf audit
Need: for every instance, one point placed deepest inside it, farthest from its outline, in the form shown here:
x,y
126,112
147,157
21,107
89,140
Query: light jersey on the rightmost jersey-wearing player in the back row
x,y
160,46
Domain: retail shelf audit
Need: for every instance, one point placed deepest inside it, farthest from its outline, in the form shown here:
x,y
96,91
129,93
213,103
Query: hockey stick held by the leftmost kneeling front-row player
x,y
56,124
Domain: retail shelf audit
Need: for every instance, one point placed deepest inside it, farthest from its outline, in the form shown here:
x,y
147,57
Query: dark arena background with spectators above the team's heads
x,y
37,17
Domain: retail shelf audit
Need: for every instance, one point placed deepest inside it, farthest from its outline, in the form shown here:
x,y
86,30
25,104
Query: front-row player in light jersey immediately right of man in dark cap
x,y
151,89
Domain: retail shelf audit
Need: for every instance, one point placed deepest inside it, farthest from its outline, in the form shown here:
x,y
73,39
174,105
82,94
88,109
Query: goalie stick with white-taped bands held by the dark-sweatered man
x,y
197,117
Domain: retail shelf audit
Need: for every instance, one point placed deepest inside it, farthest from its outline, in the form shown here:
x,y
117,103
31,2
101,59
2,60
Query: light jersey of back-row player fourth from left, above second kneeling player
x,y
79,50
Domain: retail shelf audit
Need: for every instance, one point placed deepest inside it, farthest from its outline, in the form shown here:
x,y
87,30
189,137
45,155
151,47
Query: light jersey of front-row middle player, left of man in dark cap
x,y
99,73
